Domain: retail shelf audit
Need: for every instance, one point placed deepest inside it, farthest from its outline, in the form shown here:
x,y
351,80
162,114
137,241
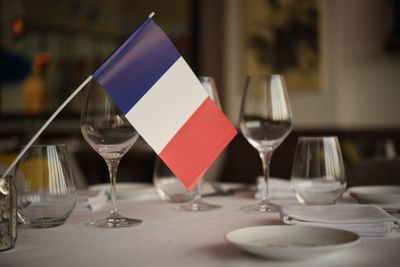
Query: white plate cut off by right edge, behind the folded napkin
x,y
384,196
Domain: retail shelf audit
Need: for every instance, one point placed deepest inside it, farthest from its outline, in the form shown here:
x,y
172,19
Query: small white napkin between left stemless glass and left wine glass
x,y
91,200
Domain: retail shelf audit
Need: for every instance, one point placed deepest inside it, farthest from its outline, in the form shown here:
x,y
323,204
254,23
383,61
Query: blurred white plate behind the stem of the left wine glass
x,y
125,189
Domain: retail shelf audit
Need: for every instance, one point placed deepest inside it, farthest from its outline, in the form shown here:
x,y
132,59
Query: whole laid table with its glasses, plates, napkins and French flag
x,y
308,220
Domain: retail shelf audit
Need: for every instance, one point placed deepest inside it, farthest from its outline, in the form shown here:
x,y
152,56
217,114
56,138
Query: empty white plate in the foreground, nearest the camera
x,y
291,242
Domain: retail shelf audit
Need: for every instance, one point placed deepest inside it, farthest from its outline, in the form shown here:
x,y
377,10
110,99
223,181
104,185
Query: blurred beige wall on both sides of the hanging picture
x,y
360,83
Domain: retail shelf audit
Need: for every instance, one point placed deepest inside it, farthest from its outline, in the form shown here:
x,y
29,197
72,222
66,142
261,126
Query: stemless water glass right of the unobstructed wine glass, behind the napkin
x,y
318,176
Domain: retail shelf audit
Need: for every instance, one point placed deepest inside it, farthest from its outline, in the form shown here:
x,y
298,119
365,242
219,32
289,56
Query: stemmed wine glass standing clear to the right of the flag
x,y
265,121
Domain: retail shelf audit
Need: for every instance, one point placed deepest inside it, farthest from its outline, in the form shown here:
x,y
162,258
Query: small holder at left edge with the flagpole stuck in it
x,y
8,215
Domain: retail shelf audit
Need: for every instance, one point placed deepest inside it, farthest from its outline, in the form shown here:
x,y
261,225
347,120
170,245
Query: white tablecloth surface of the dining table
x,y
170,237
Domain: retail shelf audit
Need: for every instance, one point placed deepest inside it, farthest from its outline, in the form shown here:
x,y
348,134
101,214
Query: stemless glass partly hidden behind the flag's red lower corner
x,y
168,186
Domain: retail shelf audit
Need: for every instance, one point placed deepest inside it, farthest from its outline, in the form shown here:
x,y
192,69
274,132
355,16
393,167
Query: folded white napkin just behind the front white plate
x,y
365,220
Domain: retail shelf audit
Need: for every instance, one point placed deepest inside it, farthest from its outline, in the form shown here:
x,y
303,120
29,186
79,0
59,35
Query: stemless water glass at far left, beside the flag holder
x,y
45,186
